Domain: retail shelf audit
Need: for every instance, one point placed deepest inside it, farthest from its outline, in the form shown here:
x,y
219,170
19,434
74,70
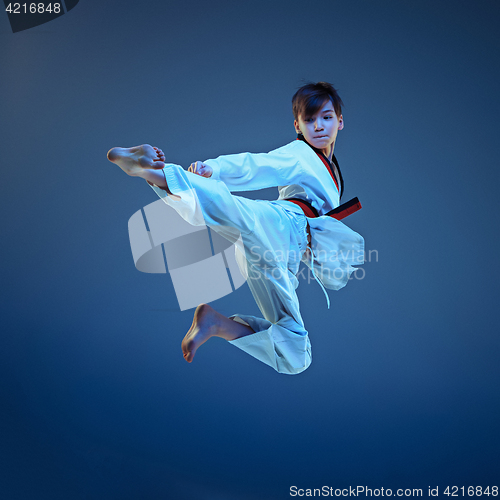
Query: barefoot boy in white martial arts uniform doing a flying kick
x,y
276,235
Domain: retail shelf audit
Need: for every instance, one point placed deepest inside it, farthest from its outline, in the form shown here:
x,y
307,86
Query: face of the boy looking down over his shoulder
x,y
320,130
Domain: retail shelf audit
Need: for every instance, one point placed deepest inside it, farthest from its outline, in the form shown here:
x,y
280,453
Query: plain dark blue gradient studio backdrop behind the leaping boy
x,y
96,399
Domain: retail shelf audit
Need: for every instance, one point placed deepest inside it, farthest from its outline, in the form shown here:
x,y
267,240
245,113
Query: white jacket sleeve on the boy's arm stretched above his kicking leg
x,y
251,171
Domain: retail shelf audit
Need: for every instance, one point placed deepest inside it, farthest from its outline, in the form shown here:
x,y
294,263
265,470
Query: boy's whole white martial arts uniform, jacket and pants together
x,y
274,238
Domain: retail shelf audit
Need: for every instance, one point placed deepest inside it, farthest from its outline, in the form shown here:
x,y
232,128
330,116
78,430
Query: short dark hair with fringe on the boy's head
x,y
310,97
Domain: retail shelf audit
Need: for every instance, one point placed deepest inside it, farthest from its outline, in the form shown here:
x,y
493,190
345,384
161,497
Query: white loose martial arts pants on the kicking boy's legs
x,y
274,240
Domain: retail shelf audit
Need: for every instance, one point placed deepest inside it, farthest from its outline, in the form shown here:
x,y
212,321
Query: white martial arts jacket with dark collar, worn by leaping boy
x,y
298,172
